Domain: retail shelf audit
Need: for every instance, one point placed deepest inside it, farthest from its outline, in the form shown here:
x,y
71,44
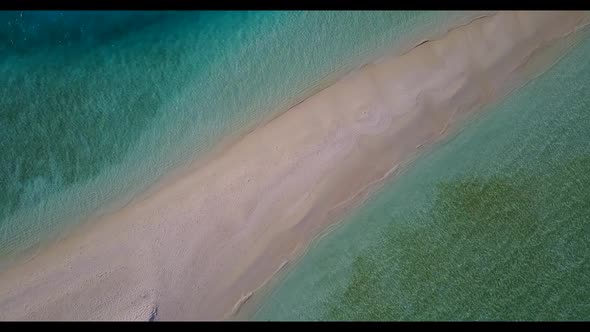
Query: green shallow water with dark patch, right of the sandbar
x,y
491,224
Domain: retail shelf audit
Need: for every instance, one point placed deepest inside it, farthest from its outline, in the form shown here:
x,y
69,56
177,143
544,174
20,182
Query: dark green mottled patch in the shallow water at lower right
x,y
484,252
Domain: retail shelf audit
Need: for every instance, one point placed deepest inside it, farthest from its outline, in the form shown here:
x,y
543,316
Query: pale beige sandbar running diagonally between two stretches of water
x,y
197,248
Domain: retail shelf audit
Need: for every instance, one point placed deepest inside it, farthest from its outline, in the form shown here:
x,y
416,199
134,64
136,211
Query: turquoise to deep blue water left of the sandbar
x,y
96,106
